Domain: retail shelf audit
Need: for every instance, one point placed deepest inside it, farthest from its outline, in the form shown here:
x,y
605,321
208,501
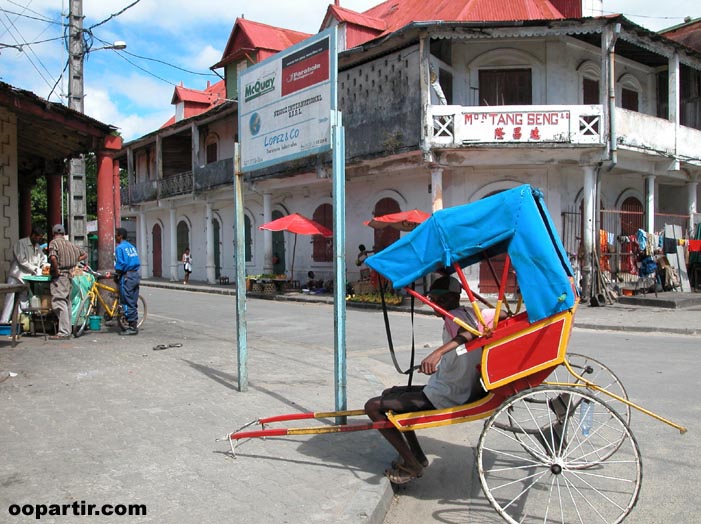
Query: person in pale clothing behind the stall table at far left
x,y
28,259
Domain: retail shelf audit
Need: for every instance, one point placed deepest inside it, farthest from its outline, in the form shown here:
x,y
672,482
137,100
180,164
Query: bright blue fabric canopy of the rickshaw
x,y
515,221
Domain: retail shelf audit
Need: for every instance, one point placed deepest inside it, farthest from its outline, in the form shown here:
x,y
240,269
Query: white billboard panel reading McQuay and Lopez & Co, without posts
x,y
285,103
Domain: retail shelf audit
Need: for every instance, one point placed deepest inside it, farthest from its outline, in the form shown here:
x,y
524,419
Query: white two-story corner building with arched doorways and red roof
x,y
444,105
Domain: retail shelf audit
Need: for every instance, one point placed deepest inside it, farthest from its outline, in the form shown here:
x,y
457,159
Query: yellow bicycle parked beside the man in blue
x,y
112,307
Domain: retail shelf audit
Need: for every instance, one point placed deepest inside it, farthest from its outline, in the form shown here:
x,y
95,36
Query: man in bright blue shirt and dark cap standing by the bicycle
x,y
127,272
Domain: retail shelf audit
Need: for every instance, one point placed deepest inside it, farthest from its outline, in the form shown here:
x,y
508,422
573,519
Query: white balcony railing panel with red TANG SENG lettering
x,y
456,126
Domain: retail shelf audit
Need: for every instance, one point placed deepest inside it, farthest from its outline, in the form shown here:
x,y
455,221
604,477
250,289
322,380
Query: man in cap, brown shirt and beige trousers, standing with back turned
x,y
63,257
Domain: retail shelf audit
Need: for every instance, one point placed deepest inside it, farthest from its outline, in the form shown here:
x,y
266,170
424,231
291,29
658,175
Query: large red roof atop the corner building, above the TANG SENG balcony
x,y
399,13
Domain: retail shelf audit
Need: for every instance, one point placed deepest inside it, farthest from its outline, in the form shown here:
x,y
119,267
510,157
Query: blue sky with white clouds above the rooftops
x,y
174,41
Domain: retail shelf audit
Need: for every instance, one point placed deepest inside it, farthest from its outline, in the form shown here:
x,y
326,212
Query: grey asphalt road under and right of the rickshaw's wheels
x,y
658,372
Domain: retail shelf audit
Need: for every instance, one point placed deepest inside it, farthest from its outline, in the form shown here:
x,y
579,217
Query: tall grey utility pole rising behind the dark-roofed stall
x,y
76,179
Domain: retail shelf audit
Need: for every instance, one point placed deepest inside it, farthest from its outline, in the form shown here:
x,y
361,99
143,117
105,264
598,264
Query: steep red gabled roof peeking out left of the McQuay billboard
x,y
248,37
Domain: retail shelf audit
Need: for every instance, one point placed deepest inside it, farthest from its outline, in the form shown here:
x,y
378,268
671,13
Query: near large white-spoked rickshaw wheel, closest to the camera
x,y
553,471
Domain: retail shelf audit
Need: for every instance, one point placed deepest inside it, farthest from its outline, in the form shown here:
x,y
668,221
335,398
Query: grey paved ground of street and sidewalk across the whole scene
x,y
108,420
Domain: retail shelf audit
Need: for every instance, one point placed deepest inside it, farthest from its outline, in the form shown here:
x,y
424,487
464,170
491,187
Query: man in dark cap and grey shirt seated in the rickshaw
x,y
454,382
